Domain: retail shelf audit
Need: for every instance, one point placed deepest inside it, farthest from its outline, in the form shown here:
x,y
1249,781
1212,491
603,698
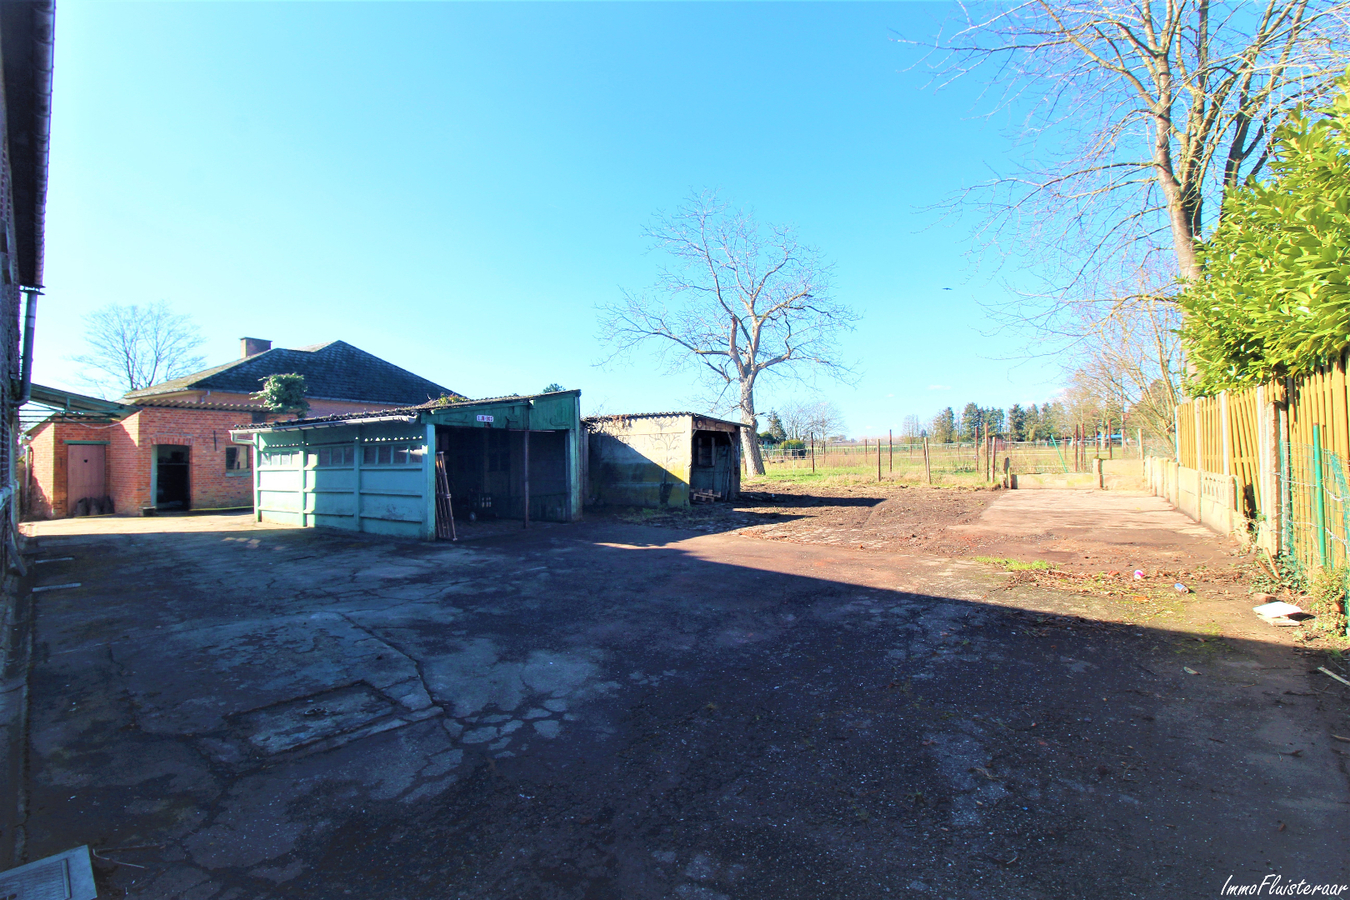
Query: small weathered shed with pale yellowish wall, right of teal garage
x,y
662,459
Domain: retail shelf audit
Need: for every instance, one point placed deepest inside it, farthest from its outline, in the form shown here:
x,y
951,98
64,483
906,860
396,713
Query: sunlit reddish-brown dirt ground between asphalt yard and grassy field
x,y
1089,544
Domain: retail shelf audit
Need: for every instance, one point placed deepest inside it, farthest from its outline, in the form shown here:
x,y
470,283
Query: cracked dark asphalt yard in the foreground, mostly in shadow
x,y
612,710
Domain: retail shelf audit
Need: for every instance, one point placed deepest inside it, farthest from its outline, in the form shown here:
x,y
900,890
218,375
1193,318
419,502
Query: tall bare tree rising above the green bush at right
x,y
1137,115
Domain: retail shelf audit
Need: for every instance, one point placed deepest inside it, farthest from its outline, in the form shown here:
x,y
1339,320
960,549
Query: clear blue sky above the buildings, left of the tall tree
x,y
457,187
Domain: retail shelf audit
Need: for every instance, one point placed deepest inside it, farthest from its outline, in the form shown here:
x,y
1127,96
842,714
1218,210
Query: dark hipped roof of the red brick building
x,y
335,370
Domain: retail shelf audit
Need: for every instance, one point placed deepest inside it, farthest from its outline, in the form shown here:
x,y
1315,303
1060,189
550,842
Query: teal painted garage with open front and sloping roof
x,y
507,457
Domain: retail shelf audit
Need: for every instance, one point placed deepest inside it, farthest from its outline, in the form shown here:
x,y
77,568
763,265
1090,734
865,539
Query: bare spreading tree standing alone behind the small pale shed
x,y
739,303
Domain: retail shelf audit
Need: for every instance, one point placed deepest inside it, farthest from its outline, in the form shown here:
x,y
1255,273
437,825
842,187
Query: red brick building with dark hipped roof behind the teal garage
x,y
168,446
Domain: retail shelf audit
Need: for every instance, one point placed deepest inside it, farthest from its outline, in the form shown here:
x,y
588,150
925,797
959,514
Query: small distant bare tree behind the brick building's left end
x,y
134,347
